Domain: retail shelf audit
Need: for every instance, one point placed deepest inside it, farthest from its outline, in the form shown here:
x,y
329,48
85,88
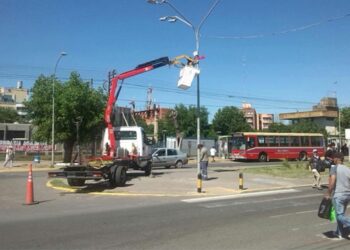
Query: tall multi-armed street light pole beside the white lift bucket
x,y
196,31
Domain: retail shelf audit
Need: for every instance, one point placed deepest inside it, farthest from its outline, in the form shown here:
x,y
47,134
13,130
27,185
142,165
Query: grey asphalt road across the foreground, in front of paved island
x,y
276,220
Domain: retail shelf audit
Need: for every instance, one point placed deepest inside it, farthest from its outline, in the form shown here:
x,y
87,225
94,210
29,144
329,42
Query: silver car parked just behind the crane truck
x,y
167,157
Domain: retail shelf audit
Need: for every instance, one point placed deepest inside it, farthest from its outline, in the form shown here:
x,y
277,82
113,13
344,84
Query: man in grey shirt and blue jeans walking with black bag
x,y
339,190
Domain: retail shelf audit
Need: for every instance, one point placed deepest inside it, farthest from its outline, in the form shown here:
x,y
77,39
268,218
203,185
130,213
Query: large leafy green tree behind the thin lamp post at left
x,y
75,101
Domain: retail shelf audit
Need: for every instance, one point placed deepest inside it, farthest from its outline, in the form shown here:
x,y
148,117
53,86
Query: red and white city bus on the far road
x,y
267,146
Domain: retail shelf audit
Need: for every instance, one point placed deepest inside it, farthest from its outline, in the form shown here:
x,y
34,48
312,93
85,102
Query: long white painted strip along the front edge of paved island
x,y
235,196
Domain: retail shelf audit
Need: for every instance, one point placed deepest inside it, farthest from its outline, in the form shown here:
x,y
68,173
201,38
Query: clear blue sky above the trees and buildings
x,y
260,52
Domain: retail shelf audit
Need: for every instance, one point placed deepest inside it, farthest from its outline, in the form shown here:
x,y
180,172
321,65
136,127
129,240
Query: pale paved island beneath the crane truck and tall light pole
x,y
223,180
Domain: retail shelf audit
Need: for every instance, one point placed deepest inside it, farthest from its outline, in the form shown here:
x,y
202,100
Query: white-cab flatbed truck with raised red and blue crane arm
x,y
122,147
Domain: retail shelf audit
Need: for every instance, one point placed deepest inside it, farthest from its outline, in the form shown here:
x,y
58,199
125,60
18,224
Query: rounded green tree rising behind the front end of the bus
x,y
229,120
